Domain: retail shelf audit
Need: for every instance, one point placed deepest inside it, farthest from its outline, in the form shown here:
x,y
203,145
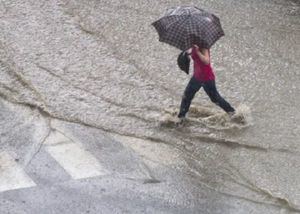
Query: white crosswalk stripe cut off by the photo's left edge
x,y
12,176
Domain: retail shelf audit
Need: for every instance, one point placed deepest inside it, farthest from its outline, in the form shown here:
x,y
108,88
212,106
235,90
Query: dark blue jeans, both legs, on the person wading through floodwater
x,y
210,89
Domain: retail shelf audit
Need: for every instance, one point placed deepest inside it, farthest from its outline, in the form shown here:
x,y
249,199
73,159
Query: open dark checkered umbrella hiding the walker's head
x,y
184,26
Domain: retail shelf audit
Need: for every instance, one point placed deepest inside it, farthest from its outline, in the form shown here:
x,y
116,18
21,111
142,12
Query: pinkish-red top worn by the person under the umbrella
x,y
202,72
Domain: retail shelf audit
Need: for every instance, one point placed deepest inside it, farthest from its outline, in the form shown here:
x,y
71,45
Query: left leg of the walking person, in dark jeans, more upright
x,y
189,93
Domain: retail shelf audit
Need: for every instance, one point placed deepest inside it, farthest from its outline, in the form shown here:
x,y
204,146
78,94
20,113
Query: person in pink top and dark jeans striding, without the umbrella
x,y
203,77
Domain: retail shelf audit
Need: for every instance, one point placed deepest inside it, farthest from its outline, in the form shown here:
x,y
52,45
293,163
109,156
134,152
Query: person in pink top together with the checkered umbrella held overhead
x,y
183,27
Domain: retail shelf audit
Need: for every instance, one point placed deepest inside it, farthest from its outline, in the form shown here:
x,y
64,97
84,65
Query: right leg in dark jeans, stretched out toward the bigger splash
x,y
211,91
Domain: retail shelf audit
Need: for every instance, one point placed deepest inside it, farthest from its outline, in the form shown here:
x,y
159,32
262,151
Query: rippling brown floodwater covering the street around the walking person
x,y
99,63
